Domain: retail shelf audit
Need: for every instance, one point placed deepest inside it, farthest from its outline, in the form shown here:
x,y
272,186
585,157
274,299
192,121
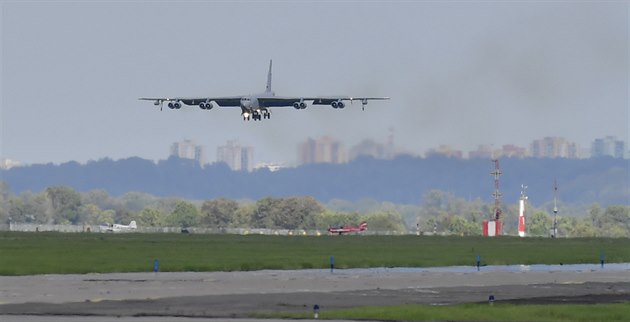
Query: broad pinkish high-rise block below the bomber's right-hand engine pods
x,y
323,150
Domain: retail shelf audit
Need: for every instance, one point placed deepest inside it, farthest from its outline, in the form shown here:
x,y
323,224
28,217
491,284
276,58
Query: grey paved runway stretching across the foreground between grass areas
x,y
226,295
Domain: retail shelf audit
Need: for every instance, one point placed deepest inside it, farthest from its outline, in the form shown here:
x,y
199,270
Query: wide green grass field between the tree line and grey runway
x,y
44,253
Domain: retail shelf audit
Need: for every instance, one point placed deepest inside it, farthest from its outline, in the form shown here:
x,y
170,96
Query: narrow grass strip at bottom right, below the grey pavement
x,y
476,312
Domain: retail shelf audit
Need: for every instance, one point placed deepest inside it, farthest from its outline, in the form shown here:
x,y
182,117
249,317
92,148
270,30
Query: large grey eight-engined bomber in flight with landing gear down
x,y
257,106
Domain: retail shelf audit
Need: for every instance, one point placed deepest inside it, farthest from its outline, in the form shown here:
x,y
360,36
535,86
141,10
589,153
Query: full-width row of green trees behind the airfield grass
x,y
437,212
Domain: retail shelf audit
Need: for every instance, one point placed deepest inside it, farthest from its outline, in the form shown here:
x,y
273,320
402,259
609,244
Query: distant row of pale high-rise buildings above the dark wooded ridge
x,y
327,149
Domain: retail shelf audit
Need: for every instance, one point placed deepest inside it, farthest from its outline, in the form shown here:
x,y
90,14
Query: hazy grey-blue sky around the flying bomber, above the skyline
x,y
459,73
